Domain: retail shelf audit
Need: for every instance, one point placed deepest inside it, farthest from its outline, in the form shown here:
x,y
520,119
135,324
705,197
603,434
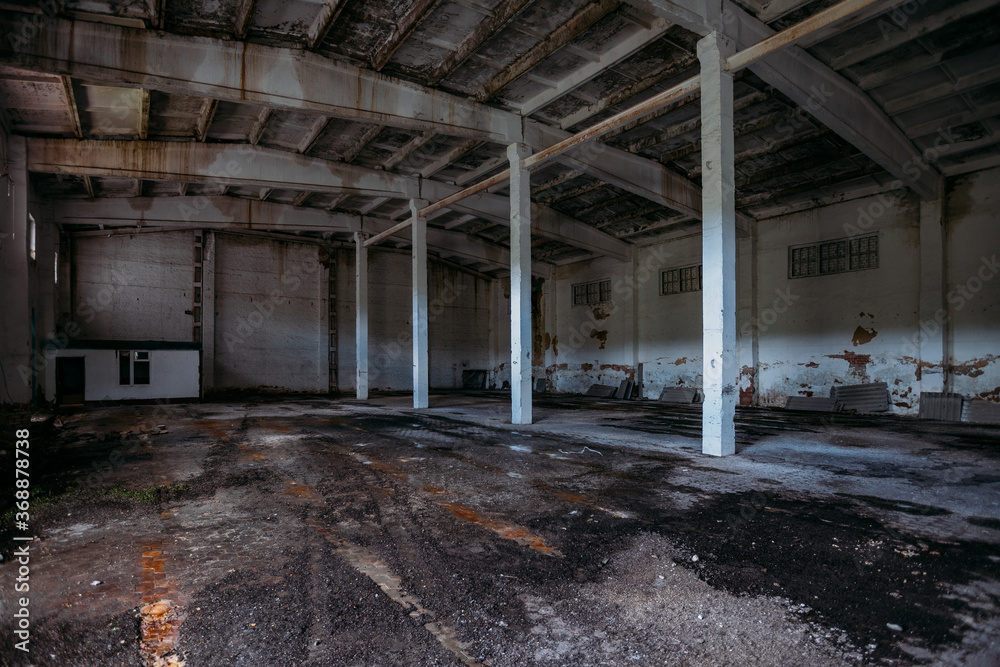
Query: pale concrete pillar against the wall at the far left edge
x,y
16,354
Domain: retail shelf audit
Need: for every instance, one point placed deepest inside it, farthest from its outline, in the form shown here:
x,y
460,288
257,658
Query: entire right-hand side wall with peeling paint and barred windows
x,y
802,336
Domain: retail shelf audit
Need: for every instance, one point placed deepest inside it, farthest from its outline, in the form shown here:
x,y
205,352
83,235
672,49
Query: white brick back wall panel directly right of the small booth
x,y
270,315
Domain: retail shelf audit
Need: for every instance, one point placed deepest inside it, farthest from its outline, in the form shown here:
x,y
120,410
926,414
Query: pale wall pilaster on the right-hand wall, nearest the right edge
x,y
933,311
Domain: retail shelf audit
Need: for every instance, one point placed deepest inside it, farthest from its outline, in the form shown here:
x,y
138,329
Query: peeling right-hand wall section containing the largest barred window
x,y
844,328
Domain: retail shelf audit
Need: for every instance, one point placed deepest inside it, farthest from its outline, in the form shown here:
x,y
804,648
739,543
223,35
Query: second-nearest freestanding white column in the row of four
x,y
520,285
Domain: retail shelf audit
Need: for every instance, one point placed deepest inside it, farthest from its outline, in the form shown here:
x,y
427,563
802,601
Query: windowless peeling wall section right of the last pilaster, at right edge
x,y
973,277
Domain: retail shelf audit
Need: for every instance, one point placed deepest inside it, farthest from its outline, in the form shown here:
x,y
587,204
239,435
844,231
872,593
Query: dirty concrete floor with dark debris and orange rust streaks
x,y
300,530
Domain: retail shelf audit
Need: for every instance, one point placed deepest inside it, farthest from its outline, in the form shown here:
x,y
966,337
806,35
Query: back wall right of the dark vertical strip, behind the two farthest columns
x,y
459,308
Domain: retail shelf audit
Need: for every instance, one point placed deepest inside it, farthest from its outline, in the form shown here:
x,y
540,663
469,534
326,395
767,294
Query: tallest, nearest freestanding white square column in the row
x,y
720,374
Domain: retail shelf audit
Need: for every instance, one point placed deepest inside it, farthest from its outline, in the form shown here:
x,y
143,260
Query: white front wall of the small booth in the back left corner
x,y
172,374
